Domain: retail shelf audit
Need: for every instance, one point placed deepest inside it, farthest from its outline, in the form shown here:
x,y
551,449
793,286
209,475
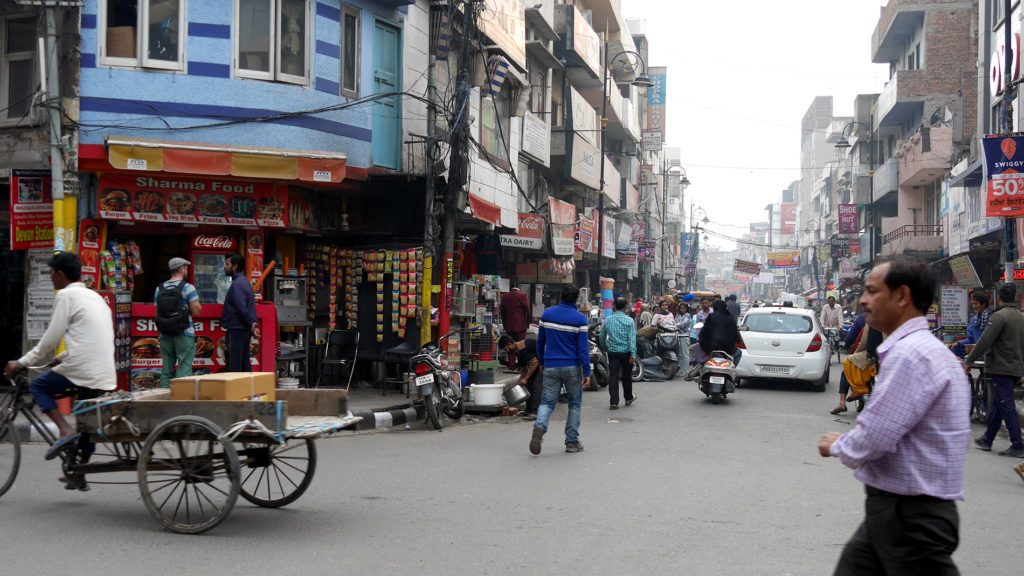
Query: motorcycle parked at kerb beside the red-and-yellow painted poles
x,y
438,385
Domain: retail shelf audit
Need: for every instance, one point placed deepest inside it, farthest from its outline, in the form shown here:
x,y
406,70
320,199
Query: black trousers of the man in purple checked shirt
x,y
903,536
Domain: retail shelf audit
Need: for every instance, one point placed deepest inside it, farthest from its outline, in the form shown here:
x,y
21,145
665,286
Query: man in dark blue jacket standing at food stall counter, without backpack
x,y
239,318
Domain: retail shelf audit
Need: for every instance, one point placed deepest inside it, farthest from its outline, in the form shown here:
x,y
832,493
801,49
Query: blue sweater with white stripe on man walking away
x,y
562,340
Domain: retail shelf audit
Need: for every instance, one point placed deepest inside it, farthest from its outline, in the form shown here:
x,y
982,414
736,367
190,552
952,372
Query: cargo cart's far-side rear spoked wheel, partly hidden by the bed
x,y
274,476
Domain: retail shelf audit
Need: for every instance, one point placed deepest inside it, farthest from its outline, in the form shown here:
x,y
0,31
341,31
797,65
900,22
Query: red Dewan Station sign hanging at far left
x,y
31,211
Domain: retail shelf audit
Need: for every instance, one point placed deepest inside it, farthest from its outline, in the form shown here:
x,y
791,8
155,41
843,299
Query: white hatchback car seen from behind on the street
x,y
784,344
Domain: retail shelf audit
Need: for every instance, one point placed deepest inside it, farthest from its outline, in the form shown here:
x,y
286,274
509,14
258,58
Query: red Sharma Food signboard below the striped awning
x,y
172,199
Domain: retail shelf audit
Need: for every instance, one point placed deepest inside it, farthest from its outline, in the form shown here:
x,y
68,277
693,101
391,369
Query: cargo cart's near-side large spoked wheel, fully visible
x,y
189,477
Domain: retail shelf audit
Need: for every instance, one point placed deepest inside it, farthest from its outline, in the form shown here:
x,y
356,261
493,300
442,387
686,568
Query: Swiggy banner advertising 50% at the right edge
x,y
1005,177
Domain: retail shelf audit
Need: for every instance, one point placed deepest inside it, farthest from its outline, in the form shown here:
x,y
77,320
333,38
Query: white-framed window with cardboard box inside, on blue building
x,y
143,33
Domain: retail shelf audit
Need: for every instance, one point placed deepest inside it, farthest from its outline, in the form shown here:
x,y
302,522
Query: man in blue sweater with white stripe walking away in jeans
x,y
565,356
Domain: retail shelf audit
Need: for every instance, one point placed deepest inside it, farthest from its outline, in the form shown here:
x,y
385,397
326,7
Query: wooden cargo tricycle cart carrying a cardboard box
x,y
193,459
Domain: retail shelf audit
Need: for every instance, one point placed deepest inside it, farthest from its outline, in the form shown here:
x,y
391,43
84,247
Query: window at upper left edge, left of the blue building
x,y
18,68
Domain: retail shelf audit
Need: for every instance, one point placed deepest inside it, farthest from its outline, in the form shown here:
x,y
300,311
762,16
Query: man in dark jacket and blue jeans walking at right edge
x,y
1001,345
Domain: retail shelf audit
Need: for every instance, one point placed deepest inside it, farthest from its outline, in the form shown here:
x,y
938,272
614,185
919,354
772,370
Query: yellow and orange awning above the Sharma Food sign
x,y
223,160
